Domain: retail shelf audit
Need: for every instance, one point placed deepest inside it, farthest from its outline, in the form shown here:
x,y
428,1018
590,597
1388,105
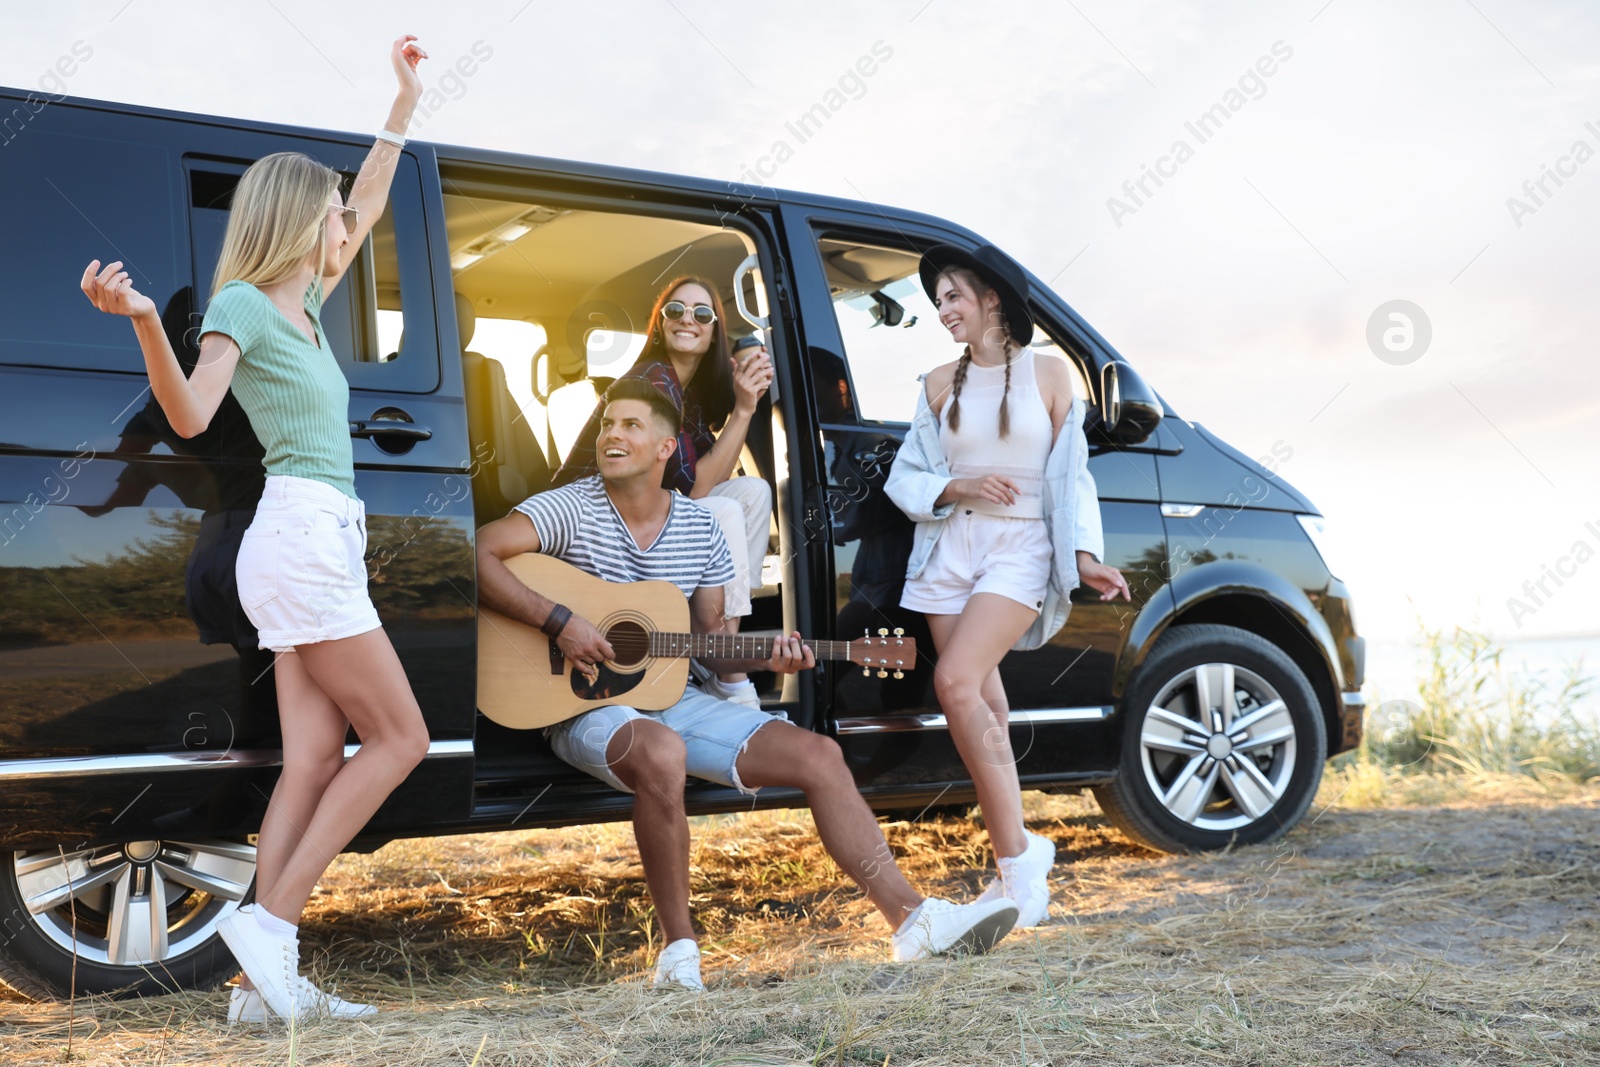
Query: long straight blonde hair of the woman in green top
x,y
278,220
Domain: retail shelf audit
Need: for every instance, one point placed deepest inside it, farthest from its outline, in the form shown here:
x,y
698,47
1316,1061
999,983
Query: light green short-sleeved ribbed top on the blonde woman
x,y
294,391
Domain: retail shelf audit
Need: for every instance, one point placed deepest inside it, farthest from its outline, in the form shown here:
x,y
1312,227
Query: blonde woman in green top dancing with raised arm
x,y
302,572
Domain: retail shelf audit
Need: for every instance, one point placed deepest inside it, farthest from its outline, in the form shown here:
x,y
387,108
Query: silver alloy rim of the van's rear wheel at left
x,y
138,903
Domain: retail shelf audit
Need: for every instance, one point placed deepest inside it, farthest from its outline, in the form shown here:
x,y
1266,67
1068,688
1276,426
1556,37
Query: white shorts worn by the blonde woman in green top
x,y
302,567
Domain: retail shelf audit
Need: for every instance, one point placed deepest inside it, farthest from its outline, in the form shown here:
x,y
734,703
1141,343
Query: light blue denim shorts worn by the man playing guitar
x,y
714,737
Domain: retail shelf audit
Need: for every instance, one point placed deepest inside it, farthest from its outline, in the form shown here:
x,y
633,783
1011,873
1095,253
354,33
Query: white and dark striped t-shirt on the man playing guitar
x,y
580,526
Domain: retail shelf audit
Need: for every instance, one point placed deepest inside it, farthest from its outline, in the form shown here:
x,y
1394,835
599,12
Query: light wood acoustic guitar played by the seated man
x,y
526,681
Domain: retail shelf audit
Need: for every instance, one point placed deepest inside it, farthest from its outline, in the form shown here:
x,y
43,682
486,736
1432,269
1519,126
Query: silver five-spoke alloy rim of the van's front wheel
x,y
1218,746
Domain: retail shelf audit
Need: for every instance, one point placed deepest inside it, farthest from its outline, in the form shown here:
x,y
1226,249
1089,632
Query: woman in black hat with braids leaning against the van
x,y
994,473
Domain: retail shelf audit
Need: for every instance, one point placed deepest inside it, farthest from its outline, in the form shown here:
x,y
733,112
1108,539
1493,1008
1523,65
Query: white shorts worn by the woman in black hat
x,y
983,554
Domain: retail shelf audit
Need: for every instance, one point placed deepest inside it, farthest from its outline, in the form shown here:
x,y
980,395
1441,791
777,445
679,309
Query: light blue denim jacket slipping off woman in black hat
x,y
1073,518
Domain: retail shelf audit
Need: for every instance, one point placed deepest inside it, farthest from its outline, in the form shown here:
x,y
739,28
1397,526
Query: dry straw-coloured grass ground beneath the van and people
x,y
1460,932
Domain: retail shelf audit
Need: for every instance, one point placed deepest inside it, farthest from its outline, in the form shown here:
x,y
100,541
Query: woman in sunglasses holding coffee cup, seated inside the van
x,y
689,358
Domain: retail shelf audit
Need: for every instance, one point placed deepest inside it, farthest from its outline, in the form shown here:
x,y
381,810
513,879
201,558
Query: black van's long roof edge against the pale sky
x,y
492,158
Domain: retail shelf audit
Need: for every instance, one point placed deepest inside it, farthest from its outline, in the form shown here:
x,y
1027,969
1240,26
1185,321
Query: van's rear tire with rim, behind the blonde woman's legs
x,y
142,917
